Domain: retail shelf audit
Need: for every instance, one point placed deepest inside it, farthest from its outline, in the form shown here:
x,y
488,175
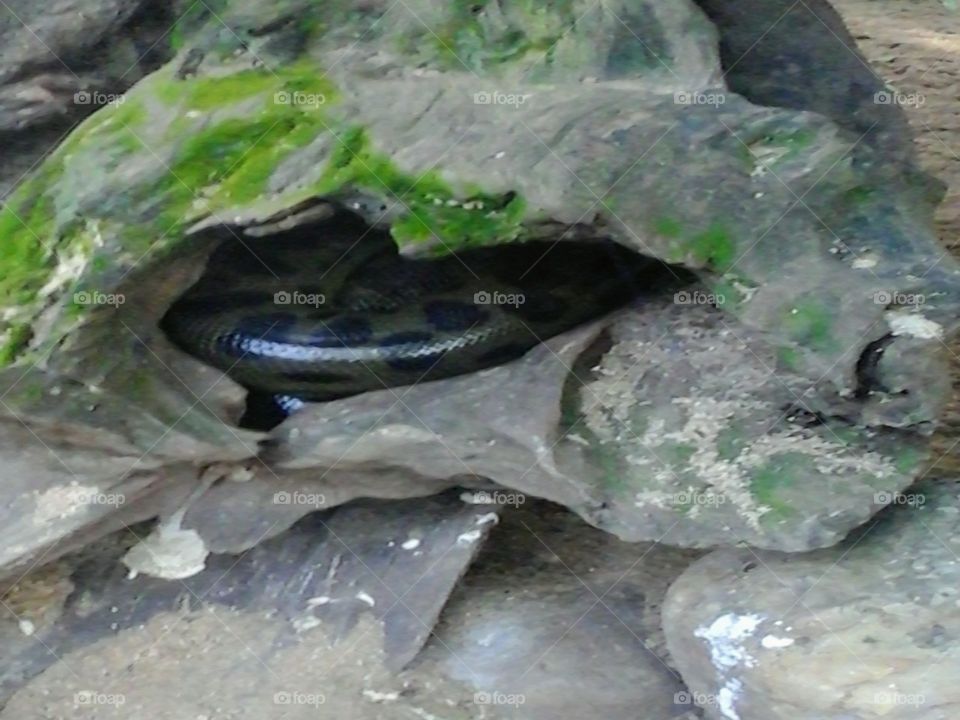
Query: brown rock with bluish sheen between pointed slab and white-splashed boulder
x,y
564,620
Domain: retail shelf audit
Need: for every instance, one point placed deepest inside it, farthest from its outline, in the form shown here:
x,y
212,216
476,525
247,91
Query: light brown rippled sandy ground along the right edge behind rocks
x,y
914,45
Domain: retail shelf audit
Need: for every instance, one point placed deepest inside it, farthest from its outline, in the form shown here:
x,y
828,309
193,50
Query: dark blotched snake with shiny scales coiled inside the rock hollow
x,y
332,309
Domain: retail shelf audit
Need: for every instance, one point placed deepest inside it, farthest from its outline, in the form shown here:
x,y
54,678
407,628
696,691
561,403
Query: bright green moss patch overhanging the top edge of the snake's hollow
x,y
433,208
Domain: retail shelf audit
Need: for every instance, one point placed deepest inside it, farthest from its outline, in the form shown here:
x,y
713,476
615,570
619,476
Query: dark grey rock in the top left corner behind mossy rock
x,y
62,60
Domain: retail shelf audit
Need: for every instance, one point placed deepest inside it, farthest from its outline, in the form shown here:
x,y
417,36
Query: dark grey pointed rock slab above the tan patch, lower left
x,y
326,575
